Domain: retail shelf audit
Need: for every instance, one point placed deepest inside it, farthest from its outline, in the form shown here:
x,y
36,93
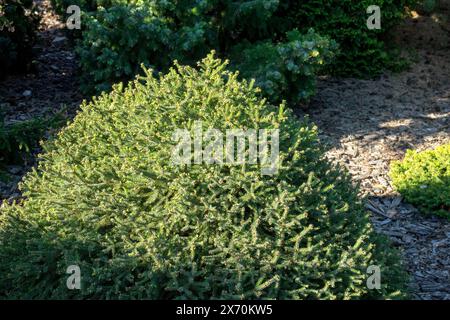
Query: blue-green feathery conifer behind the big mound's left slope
x,y
116,40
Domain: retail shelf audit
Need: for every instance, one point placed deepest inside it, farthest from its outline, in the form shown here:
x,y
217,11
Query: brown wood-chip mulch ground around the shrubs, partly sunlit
x,y
366,124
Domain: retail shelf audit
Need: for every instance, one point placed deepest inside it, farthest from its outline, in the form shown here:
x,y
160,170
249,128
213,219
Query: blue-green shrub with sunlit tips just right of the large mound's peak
x,y
285,70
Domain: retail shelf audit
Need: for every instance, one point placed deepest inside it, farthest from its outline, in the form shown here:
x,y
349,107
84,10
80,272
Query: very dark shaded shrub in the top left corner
x,y
18,25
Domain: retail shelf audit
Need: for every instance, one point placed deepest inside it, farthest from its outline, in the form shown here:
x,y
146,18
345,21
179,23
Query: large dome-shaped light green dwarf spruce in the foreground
x,y
107,198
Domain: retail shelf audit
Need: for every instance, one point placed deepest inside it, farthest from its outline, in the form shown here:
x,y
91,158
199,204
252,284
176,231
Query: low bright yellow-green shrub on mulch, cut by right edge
x,y
423,178
